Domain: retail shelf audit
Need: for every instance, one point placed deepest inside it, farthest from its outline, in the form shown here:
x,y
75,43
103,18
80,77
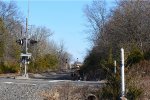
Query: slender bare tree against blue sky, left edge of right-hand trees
x,y
96,15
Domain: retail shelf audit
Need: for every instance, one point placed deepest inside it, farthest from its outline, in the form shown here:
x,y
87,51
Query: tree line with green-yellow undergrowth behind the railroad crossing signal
x,y
46,54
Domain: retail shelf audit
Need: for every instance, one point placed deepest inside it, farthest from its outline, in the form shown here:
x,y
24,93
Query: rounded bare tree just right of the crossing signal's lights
x,y
40,34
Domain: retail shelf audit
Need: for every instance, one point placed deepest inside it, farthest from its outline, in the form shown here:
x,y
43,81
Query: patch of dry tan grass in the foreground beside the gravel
x,y
67,92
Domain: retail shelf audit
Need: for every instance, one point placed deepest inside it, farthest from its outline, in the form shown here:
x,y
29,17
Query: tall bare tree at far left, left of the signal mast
x,y
9,15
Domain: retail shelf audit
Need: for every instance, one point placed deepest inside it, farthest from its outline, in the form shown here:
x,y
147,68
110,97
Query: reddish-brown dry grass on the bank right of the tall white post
x,y
140,74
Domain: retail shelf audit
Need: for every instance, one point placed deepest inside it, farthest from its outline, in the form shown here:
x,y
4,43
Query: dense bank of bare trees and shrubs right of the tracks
x,y
126,25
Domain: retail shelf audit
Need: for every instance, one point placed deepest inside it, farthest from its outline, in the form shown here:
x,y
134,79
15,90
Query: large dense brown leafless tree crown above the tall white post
x,y
128,25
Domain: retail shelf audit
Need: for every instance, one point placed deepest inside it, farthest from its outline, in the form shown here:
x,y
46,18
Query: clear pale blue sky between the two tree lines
x,y
65,18
